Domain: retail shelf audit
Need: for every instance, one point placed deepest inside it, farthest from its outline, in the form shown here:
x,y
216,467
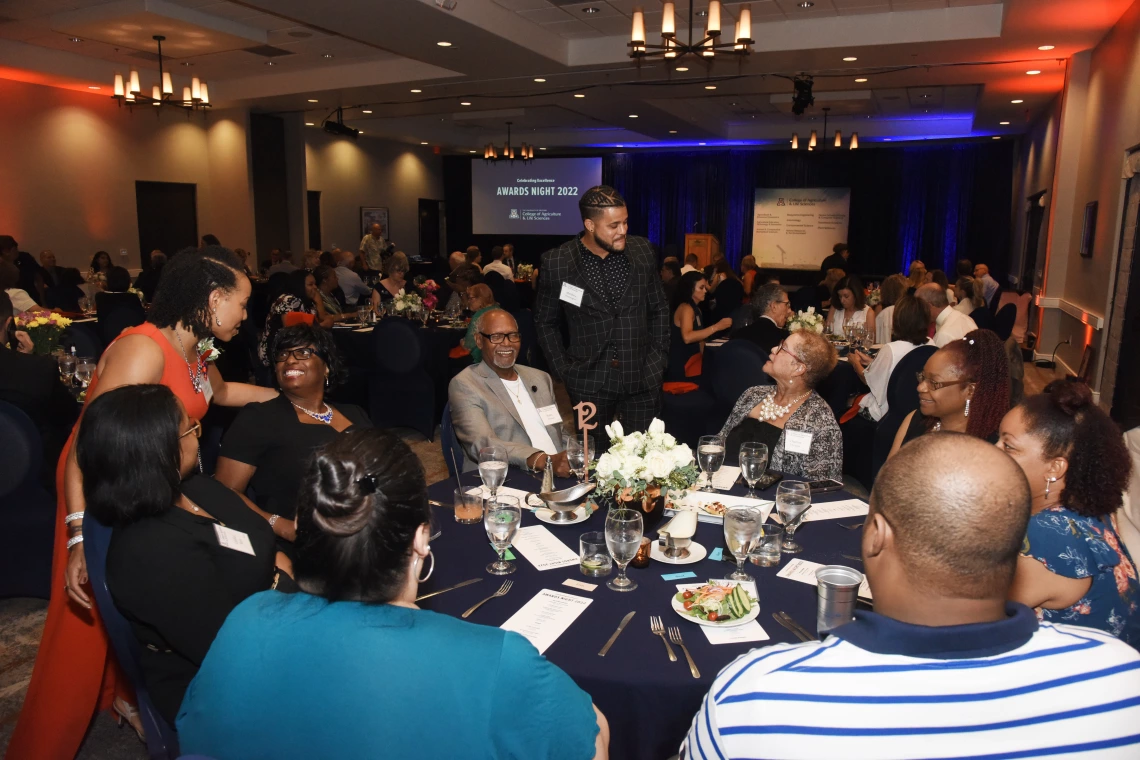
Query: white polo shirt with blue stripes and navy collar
x,y
882,690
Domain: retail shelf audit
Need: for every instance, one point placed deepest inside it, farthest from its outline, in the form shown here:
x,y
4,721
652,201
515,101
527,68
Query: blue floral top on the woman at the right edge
x,y
1076,546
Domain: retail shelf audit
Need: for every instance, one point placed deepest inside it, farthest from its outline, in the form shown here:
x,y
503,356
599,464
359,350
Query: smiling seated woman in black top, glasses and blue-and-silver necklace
x,y
270,444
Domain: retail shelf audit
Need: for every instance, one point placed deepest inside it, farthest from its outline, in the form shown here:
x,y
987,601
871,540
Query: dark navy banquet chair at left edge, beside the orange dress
x,y
28,512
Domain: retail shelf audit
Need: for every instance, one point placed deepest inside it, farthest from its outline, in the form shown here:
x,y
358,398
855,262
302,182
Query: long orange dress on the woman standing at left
x,y
76,672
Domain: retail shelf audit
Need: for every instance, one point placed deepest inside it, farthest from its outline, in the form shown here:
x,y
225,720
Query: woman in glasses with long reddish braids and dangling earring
x,y
963,388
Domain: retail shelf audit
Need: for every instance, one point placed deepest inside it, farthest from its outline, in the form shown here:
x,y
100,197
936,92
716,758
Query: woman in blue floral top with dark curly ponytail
x,y
1074,569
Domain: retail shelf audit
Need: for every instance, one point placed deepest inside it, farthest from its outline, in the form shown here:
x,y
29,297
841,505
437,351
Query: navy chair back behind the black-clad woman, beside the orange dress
x,y
161,741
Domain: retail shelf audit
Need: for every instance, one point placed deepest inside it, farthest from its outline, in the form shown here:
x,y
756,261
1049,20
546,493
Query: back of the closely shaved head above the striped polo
x,y
957,532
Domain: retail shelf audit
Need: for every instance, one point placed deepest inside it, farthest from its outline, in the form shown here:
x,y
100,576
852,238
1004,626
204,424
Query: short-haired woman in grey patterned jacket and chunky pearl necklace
x,y
791,418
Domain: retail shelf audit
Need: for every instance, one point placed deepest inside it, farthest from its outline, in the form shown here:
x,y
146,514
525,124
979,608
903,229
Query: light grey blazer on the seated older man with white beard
x,y
483,413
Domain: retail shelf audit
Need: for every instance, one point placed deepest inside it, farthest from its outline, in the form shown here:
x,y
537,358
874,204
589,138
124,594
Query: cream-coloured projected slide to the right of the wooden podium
x,y
796,228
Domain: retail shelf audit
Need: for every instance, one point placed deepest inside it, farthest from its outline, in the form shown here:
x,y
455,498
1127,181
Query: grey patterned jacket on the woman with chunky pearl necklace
x,y
826,456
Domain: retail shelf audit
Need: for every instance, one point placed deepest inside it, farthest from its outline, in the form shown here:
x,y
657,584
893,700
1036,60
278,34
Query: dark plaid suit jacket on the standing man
x,y
637,326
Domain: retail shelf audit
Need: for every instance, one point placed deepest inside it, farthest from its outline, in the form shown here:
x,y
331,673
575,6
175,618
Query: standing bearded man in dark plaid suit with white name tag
x,y
605,285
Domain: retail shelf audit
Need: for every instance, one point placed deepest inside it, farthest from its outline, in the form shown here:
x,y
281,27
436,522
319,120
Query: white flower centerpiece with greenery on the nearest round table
x,y
638,468
